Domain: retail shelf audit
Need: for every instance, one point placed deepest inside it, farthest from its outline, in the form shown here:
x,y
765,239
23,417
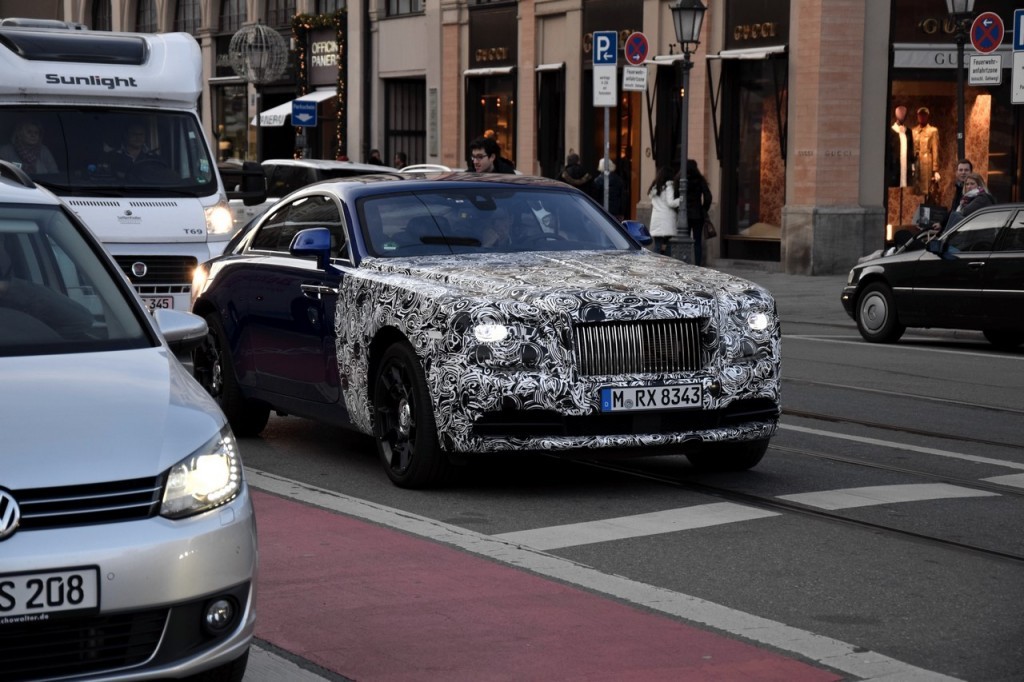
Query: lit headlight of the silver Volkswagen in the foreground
x,y
209,478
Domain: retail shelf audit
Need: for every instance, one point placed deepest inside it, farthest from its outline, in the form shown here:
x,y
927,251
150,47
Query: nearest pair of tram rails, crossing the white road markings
x,y
777,504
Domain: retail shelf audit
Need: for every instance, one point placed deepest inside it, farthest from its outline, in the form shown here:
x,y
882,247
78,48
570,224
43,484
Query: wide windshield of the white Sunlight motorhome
x,y
109,152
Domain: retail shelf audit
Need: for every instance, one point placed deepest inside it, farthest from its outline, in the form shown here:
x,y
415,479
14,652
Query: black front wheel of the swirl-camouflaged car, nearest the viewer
x,y
405,430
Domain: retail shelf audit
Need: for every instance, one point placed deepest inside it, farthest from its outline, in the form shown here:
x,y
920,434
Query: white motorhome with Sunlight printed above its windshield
x,y
108,122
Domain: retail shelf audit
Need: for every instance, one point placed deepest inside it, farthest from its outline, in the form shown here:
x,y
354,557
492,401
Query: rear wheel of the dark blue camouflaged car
x,y
216,370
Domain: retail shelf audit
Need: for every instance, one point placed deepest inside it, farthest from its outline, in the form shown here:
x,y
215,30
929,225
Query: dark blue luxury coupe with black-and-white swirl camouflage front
x,y
462,314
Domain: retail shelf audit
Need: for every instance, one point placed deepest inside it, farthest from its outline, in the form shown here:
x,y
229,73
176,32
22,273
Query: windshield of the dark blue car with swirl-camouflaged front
x,y
486,221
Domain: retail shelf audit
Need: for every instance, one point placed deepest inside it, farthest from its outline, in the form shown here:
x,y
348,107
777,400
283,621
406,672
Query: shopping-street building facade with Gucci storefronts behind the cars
x,y
790,102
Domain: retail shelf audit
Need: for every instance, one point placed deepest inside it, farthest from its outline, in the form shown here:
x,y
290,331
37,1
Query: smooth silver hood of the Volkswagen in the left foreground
x,y
83,418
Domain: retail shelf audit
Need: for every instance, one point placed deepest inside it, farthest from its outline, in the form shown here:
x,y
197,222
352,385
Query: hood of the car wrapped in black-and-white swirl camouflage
x,y
550,280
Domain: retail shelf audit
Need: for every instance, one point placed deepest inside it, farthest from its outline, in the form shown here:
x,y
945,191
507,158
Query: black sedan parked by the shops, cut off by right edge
x,y
970,278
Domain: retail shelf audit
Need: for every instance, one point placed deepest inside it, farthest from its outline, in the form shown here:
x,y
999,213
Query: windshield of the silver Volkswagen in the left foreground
x,y
58,294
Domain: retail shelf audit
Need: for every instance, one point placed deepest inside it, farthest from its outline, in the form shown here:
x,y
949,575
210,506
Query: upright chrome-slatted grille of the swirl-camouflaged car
x,y
654,347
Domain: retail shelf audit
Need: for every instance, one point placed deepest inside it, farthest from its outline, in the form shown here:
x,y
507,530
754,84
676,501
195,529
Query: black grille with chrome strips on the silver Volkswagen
x,y
102,503
